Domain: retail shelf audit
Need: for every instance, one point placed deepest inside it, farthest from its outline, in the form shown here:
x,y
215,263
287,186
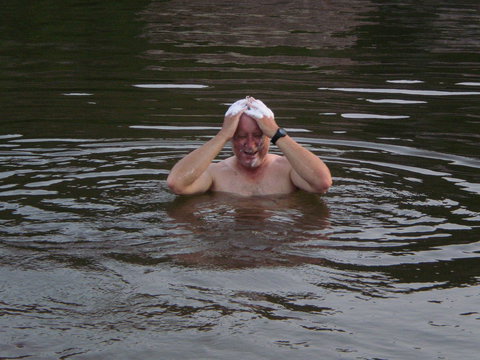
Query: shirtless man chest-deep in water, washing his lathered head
x,y
251,171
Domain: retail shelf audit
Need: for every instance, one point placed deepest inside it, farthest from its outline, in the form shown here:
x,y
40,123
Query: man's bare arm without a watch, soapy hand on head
x,y
190,175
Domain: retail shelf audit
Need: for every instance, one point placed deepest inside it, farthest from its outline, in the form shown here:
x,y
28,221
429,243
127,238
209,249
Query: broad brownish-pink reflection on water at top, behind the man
x,y
309,25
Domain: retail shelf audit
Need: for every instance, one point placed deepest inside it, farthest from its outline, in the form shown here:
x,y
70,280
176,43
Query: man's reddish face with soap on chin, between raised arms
x,y
249,144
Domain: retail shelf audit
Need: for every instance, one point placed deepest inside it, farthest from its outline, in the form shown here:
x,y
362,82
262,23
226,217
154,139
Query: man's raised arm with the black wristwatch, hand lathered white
x,y
309,172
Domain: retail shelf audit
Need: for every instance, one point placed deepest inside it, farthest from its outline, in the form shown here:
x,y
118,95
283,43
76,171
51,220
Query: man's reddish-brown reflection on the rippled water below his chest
x,y
244,232
